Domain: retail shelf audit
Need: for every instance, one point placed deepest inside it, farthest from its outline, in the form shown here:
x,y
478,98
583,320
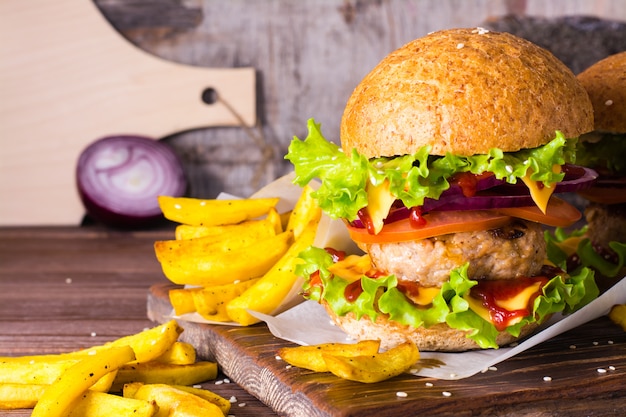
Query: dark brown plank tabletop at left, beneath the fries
x,y
66,288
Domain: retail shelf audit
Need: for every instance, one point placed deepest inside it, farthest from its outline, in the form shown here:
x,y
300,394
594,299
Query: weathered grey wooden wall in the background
x,y
311,54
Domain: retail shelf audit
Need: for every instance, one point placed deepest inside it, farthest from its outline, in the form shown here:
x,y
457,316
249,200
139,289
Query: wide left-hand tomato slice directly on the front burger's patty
x,y
437,223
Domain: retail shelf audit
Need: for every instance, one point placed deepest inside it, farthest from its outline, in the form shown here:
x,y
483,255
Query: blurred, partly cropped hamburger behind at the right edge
x,y
604,248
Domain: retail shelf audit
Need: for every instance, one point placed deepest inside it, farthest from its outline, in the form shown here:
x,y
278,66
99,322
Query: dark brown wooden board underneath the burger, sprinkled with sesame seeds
x,y
578,373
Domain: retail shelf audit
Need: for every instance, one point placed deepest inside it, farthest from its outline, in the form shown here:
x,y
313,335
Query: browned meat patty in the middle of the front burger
x,y
518,249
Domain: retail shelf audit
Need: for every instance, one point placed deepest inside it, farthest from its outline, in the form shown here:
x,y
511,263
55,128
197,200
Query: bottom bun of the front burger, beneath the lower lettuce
x,y
439,337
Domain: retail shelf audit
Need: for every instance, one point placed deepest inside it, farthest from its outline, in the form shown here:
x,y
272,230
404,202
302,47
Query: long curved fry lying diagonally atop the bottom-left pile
x,y
58,397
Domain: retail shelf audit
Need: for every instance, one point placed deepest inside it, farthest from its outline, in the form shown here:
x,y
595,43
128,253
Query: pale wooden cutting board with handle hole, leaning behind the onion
x,y
68,78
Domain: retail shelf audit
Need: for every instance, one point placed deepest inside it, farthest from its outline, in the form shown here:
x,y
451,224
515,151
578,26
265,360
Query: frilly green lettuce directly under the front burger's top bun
x,y
411,177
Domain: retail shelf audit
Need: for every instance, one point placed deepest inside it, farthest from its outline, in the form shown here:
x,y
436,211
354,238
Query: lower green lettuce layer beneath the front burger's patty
x,y
381,296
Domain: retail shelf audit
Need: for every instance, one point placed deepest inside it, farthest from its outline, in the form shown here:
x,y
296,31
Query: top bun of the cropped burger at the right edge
x,y
605,81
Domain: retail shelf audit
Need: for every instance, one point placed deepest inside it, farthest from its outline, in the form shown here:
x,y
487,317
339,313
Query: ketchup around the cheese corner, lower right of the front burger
x,y
490,291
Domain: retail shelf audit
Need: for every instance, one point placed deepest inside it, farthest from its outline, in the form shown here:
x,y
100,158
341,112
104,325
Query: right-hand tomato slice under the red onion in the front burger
x,y
559,213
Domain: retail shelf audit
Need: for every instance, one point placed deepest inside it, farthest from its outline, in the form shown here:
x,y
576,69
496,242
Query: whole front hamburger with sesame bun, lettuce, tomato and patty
x,y
452,149
